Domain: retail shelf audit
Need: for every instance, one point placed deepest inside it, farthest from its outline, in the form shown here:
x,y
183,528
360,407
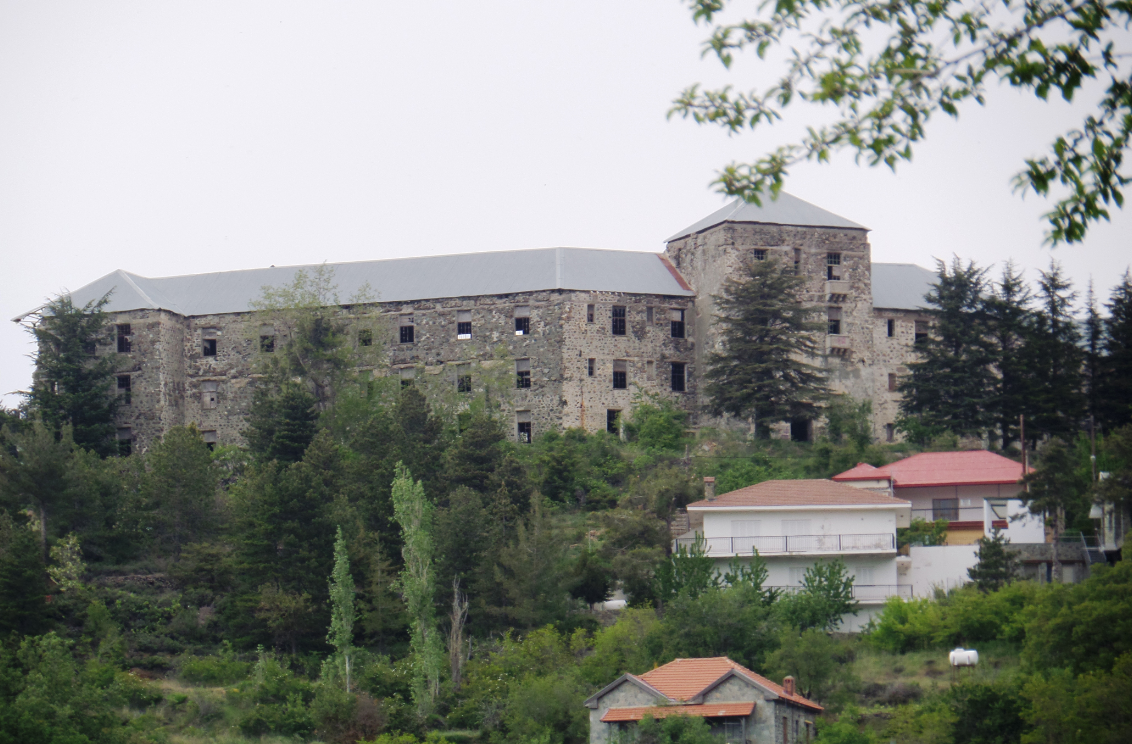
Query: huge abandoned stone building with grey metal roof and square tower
x,y
585,329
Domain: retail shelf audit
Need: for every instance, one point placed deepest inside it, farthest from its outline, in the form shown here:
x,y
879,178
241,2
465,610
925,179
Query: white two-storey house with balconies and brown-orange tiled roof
x,y
795,524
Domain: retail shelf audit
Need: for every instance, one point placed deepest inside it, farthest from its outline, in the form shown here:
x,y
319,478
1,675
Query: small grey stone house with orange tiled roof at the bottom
x,y
741,706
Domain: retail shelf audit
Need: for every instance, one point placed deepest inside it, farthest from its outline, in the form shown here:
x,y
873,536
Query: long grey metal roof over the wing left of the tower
x,y
402,280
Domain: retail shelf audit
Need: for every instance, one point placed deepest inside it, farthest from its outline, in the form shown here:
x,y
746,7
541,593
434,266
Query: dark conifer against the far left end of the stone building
x,y
73,384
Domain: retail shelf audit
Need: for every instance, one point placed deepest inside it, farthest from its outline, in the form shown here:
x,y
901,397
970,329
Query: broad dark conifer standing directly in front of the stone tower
x,y
768,335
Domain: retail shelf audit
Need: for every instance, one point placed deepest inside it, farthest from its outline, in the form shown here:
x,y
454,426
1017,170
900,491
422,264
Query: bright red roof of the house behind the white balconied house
x,y
975,468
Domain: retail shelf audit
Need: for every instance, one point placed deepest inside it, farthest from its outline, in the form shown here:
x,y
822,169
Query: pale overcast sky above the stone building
x,y
173,139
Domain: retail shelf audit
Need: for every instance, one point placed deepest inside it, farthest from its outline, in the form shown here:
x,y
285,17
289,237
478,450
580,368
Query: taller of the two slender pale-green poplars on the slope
x,y
418,587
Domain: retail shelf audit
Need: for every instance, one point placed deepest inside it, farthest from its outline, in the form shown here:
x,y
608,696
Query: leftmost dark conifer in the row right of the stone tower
x,y
951,387
